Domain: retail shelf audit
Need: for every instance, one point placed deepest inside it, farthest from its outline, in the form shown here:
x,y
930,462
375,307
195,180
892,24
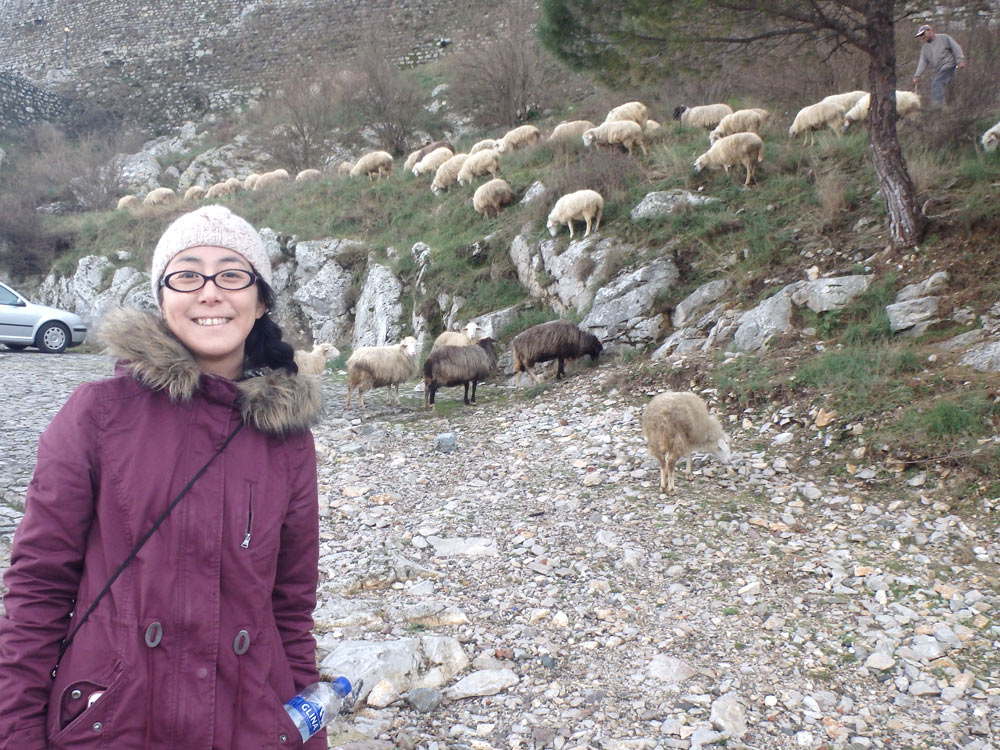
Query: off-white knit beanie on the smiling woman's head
x,y
215,226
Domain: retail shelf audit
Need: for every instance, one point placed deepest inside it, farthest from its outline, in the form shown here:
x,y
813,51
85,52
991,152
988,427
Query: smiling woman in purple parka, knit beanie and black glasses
x,y
208,629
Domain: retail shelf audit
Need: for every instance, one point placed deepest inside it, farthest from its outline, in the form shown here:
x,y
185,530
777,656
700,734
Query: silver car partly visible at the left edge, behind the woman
x,y
48,329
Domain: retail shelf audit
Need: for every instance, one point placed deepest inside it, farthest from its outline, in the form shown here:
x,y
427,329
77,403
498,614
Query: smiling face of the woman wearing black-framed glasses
x,y
212,323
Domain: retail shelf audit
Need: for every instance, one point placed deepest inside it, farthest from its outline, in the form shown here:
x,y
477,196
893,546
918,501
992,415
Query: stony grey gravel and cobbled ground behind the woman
x,y
779,602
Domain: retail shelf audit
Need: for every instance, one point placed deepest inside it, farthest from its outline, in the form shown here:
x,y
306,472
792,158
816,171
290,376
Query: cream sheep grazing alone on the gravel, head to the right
x,y
675,424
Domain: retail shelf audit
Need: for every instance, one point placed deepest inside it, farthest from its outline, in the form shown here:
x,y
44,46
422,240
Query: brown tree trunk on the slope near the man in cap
x,y
906,222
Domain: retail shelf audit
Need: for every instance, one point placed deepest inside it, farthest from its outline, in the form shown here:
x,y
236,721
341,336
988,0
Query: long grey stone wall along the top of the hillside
x,y
173,59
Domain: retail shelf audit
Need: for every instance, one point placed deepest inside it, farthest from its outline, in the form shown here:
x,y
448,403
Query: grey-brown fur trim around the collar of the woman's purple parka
x,y
275,401
